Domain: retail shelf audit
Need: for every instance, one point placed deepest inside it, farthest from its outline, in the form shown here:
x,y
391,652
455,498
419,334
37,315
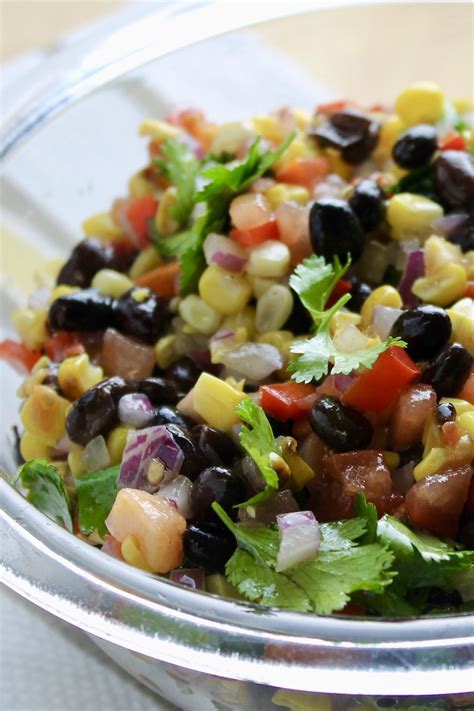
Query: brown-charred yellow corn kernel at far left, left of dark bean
x,y
44,414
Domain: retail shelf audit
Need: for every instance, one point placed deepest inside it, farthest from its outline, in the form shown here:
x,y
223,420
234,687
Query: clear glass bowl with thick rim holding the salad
x,y
68,154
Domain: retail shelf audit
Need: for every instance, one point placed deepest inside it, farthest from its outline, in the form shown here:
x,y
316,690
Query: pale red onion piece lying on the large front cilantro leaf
x,y
299,539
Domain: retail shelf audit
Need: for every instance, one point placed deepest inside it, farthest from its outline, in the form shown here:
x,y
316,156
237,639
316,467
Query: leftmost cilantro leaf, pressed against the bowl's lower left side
x,y
46,490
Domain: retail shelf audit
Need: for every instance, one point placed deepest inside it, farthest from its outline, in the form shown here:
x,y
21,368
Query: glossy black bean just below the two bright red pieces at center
x,y
339,426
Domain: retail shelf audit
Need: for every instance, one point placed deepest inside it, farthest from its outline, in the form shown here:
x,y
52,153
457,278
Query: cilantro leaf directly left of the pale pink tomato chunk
x,y
96,493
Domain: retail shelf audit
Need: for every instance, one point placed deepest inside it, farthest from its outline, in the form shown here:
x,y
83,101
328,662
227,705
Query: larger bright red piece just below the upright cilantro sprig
x,y
377,388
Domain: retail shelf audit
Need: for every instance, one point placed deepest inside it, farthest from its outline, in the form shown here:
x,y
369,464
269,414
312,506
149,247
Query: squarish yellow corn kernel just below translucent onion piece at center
x,y
216,400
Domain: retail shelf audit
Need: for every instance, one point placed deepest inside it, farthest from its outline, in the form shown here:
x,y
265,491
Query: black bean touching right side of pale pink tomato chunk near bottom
x,y
208,546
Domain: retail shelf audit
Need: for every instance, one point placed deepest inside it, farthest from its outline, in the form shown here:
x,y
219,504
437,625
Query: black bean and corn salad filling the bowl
x,y
254,374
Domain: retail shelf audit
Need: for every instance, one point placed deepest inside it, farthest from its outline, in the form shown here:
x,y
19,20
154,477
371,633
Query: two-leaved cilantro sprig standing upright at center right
x,y
313,281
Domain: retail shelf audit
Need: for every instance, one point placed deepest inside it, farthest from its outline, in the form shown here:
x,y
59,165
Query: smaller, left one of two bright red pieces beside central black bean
x,y
287,401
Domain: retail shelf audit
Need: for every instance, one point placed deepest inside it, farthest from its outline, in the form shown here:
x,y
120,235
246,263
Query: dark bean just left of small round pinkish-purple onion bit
x,y
95,412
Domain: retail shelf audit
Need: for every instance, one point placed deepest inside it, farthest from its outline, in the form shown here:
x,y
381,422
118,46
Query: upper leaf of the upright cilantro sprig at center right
x,y
314,279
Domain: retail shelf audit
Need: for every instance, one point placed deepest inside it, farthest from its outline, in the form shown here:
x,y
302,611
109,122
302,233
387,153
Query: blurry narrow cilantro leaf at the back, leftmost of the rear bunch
x,y
180,166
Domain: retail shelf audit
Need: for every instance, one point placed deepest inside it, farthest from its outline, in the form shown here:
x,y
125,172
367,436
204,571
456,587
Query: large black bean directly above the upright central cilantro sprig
x,y
335,230
